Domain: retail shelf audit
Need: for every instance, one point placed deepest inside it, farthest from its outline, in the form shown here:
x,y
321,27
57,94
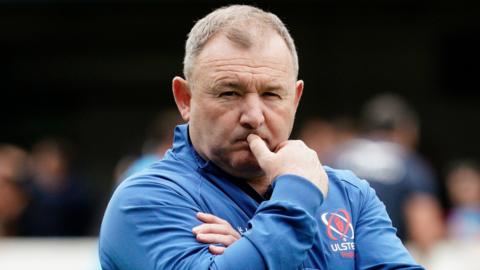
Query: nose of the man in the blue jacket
x,y
252,114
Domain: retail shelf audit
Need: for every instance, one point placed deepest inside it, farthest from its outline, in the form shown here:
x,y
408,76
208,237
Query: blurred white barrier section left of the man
x,y
49,253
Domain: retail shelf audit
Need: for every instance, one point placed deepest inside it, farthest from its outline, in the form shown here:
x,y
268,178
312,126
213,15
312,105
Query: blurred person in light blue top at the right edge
x,y
463,186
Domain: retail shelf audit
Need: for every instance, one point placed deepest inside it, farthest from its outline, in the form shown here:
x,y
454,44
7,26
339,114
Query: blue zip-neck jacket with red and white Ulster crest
x,y
148,222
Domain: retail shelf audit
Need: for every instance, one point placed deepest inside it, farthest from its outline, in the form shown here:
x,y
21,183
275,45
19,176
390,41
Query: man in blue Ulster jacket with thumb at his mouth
x,y
232,166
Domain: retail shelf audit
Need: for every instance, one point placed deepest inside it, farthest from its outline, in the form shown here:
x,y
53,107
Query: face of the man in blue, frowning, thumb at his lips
x,y
236,92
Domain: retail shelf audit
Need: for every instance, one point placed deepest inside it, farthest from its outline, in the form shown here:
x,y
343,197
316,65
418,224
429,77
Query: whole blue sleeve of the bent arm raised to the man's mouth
x,y
149,226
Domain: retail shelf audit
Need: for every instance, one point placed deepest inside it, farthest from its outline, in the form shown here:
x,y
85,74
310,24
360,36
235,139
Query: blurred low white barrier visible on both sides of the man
x,y
81,254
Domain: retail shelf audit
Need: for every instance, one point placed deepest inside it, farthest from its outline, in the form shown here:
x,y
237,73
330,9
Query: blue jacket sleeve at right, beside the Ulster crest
x,y
376,243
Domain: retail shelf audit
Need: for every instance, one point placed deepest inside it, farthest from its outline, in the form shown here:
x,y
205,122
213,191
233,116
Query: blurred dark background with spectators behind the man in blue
x,y
391,92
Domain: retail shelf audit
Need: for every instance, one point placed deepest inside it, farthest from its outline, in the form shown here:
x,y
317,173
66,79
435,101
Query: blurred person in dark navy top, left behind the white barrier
x,y
59,204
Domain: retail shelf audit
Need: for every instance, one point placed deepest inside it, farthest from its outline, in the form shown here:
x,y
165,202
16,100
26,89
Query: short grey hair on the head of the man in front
x,y
234,19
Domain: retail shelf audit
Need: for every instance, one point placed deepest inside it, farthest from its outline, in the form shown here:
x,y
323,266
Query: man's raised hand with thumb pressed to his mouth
x,y
290,157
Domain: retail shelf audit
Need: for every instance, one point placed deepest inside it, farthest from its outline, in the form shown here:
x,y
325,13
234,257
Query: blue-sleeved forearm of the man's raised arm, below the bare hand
x,y
282,230
